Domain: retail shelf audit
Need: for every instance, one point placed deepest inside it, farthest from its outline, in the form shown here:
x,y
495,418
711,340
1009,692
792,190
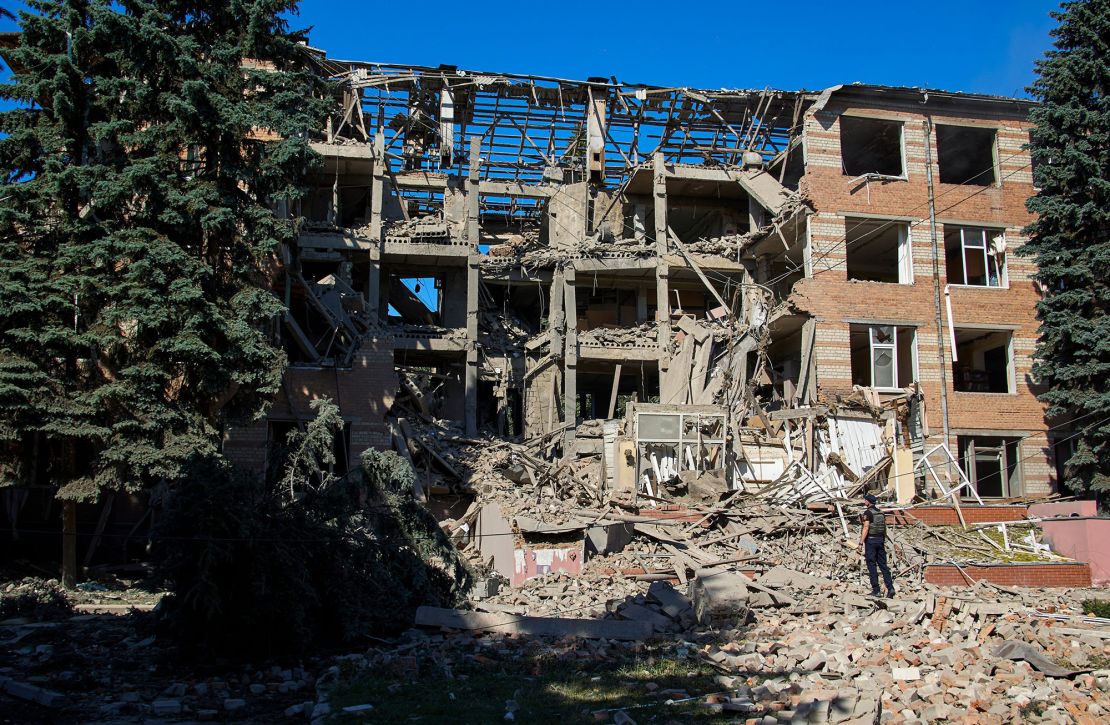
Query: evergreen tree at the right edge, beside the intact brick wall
x,y
1071,240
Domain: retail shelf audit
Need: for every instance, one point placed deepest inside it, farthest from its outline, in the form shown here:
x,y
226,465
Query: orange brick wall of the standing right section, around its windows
x,y
837,303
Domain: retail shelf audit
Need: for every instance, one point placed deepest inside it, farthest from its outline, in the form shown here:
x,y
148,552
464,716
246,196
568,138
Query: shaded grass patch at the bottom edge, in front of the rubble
x,y
547,689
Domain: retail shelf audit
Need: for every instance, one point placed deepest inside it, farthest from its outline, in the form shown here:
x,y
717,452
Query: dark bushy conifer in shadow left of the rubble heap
x,y
310,561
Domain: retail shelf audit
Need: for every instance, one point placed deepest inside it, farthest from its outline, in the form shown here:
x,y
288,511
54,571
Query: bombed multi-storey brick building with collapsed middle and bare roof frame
x,y
673,279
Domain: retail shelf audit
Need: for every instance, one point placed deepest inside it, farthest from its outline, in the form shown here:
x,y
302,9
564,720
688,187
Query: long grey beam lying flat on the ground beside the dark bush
x,y
432,617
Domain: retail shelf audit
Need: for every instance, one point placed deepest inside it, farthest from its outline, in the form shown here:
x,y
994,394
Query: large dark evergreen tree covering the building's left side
x,y
137,233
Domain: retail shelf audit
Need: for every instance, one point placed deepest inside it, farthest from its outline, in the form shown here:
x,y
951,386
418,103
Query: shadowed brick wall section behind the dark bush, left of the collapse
x,y
365,394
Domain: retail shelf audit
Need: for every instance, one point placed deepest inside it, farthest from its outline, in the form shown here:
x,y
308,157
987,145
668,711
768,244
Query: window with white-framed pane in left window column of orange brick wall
x,y
883,357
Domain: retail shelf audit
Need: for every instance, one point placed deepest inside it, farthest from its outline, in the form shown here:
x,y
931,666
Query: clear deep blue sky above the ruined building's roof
x,y
984,47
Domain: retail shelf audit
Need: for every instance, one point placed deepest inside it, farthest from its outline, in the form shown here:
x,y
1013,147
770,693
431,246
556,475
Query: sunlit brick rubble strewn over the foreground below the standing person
x,y
798,648
